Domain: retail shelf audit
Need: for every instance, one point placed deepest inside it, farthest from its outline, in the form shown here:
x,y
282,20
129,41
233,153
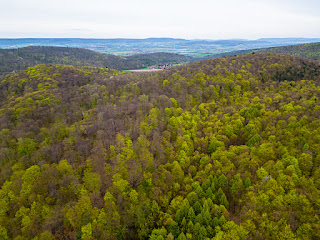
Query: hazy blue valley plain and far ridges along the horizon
x,y
195,47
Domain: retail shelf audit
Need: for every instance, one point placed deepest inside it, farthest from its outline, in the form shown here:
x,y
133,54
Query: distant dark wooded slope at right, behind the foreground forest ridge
x,y
309,50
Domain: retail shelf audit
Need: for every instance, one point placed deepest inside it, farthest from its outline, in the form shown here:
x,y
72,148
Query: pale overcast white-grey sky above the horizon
x,y
190,19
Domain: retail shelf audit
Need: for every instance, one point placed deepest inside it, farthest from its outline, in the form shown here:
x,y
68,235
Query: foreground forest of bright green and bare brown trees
x,y
226,148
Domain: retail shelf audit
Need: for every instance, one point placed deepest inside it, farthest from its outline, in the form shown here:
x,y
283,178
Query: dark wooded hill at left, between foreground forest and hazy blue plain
x,y
22,58
